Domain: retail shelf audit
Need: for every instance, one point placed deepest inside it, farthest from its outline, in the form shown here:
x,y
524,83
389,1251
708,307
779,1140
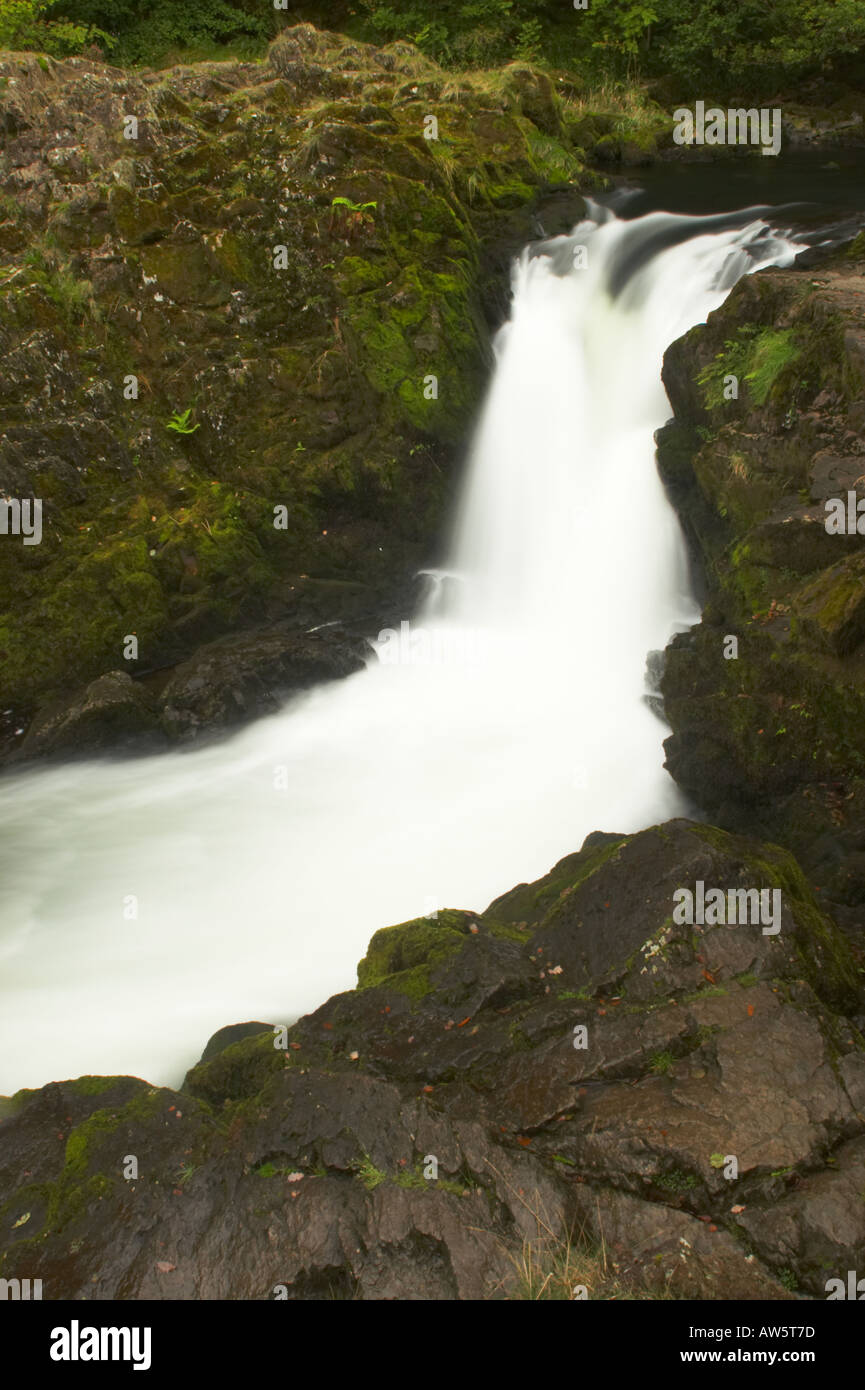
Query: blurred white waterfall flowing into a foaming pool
x,y
511,726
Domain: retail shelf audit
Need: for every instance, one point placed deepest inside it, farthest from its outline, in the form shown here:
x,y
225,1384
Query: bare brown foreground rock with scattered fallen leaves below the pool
x,y
572,1061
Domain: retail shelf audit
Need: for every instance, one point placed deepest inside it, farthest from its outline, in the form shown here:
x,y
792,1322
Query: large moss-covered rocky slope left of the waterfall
x,y
229,290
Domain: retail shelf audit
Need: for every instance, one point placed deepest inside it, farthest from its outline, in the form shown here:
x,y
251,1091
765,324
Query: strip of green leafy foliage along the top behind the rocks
x,y
727,49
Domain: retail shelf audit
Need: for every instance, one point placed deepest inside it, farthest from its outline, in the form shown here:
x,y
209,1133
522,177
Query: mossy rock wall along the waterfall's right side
x,y
773,739
